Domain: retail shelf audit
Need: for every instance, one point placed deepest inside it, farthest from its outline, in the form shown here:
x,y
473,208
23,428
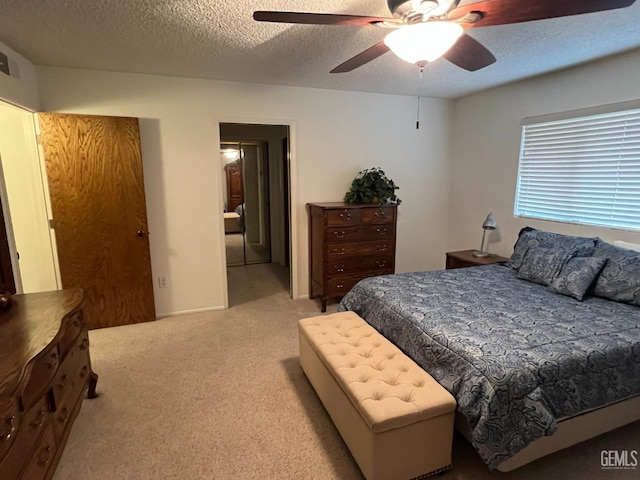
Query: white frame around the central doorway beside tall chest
x,y
294,290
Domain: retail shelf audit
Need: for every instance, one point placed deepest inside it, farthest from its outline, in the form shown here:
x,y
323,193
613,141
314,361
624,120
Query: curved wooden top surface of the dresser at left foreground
x,y
28,326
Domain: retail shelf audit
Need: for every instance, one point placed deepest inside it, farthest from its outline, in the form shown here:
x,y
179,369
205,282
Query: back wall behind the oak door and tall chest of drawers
x,y
333,135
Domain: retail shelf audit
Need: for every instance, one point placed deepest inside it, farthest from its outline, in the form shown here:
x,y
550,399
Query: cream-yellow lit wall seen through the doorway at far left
x,y
27,210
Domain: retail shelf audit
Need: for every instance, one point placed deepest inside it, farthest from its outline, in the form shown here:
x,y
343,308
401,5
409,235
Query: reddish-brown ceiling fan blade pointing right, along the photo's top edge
x,y
501,12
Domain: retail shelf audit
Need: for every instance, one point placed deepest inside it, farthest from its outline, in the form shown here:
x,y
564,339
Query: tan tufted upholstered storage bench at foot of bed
x,y
396,420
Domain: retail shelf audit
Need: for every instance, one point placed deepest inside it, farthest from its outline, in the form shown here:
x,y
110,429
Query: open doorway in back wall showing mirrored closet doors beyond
x,y
254,159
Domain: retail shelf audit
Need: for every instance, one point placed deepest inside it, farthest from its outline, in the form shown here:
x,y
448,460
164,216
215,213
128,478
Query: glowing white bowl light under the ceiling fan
x,y
423,42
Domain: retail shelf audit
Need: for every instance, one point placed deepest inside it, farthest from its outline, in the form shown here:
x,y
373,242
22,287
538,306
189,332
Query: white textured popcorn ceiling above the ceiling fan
x,y
220,40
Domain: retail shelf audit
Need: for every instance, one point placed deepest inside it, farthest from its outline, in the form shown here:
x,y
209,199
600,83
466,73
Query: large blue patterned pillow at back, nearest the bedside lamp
x,y
531,237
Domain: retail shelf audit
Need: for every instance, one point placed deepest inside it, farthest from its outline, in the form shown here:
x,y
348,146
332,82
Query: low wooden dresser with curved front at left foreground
x,y
45,369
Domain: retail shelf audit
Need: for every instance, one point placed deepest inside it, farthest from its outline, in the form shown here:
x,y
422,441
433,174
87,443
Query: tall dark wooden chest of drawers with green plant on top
x,y
347,243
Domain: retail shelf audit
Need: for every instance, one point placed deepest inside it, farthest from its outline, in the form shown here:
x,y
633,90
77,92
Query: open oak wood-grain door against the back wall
x,y
94,170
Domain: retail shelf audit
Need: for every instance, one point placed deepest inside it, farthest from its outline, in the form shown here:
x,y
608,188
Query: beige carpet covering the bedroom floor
x,y
220,395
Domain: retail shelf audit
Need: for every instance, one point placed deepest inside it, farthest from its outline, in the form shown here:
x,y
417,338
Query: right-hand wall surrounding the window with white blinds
x,y
485,154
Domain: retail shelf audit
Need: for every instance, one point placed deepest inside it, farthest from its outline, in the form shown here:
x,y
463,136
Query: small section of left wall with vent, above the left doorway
x,y
21,88
